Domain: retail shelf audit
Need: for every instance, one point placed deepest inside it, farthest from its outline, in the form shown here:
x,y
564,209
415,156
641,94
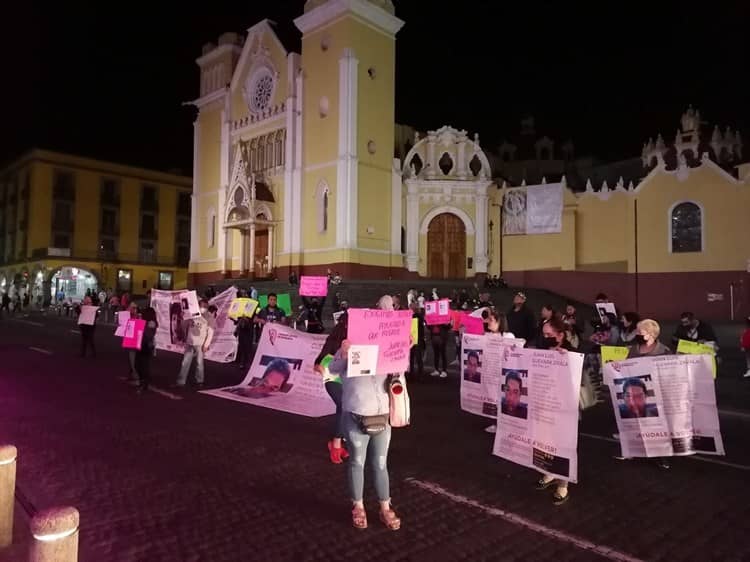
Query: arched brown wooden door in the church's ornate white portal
x,y
446,247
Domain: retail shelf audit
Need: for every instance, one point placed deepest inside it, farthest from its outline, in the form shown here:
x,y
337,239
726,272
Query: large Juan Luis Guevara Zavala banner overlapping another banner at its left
x,y
537,422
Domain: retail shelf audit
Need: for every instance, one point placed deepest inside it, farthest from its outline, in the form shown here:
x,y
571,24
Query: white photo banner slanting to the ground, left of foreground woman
x,y
281,376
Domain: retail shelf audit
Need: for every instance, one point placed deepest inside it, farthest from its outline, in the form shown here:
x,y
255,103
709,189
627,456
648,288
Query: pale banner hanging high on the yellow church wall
x,y
533,209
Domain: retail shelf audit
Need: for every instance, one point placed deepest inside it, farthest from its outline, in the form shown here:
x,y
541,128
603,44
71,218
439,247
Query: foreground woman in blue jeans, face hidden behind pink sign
x,y
366,396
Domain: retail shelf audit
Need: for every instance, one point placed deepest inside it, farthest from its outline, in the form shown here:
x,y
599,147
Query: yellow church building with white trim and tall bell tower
x,y
294,169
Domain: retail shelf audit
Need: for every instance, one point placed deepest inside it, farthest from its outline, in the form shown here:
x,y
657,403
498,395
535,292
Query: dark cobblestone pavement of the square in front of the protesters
x,y
202,478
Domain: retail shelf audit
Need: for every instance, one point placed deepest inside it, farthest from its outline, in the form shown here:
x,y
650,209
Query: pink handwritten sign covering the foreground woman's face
x,y
389,330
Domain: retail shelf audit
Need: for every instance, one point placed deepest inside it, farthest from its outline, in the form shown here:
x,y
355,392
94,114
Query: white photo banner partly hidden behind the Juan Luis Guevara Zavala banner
x,y
480,371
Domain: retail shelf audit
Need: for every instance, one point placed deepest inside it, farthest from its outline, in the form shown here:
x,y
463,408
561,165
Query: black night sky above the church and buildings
x,y
107,80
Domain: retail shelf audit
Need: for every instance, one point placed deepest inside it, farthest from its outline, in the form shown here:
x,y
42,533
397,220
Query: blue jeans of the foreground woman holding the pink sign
x,y
360,444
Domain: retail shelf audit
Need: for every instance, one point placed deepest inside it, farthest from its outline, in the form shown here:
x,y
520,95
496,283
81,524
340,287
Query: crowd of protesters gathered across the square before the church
x,y
359,428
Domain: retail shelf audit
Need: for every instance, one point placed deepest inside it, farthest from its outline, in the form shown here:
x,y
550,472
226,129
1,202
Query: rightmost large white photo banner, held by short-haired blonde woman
x,y
665,405
